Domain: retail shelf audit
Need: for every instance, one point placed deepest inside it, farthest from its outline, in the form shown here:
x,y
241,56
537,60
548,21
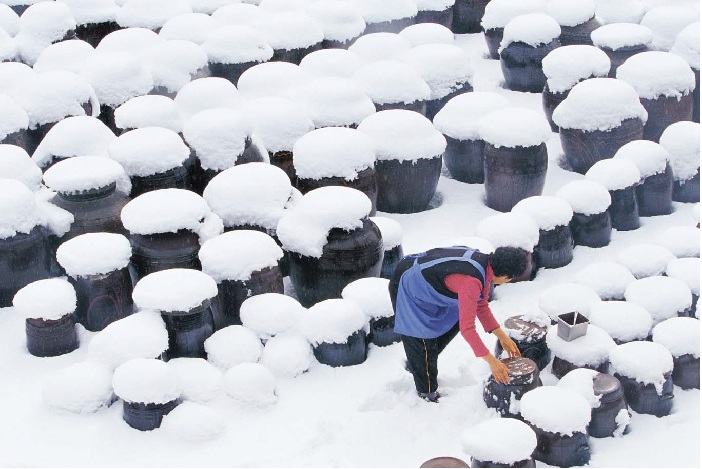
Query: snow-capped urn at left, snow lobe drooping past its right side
x,y
166,228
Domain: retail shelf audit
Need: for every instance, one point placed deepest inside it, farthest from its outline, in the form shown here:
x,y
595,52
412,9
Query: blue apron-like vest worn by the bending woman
x,y
420,310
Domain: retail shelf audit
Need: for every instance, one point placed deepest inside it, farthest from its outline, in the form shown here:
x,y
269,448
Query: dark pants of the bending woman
x,y
422,358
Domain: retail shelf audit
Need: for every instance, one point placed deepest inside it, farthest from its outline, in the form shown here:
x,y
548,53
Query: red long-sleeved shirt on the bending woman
x,y
468,290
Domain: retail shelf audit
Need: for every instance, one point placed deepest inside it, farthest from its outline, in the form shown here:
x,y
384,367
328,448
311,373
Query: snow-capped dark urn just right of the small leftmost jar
x,y
96,264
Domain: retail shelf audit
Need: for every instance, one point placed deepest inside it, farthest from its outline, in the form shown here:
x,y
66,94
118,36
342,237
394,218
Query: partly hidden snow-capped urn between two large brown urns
x,y
458,121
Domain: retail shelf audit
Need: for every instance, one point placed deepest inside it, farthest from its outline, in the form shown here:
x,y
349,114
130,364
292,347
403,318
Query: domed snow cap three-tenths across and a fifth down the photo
x,y
207,93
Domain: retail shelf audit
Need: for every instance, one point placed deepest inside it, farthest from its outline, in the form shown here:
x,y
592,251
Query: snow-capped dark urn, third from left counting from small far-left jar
x,y
184,298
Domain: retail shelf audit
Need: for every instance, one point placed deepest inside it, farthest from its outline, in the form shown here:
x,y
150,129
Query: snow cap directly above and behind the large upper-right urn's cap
x,y
566,66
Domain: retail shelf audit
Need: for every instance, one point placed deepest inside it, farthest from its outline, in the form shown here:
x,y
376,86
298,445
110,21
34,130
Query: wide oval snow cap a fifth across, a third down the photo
x,y
149,150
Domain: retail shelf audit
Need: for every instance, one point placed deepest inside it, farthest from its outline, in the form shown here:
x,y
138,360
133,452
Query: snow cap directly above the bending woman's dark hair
x,y
509,229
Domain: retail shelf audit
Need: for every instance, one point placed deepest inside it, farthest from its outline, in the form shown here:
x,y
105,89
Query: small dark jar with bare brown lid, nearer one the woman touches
x,y
523,377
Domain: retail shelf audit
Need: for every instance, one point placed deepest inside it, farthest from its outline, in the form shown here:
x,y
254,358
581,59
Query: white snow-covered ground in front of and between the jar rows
x,y
361,416
